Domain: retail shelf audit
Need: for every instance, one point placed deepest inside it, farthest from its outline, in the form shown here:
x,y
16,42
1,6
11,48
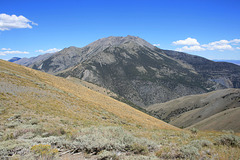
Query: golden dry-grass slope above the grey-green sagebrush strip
x,y
39,93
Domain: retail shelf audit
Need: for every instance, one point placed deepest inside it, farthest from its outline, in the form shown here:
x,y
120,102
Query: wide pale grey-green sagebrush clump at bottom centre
x,y
94,140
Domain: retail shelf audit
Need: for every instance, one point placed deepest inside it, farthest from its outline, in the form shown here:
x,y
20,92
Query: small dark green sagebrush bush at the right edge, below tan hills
x,y
228,140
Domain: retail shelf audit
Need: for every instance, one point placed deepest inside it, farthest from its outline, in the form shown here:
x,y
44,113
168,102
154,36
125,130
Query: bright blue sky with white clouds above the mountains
x,y
208,28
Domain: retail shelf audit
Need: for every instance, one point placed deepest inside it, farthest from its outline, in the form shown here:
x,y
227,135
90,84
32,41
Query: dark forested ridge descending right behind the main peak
x,y
223,73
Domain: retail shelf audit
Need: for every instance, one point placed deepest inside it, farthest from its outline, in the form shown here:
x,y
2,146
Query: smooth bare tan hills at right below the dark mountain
x,y
217,110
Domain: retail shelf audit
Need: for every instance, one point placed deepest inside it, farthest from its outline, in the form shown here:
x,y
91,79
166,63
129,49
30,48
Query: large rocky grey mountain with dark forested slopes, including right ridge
x,y
138,71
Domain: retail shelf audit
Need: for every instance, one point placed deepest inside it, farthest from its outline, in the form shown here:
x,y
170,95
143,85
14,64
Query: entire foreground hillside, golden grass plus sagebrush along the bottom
x,y
48,117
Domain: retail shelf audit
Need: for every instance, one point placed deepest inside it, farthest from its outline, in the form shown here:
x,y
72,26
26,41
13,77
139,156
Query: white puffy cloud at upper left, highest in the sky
x,y
8,22
